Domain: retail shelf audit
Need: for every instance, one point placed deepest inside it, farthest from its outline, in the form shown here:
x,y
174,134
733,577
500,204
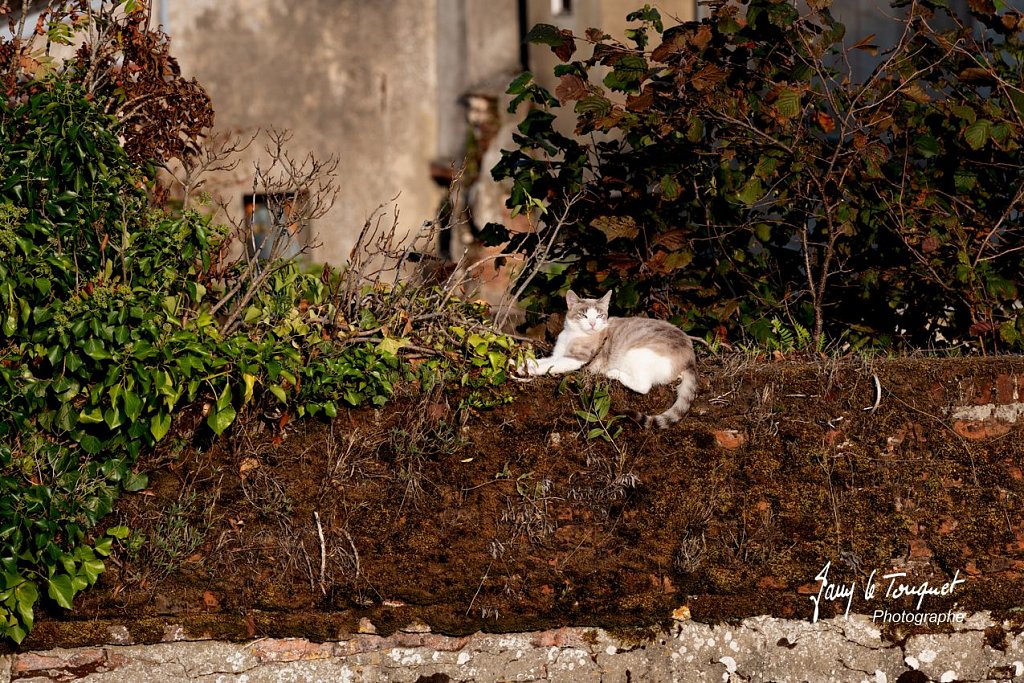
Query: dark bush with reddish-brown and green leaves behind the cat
x,y
729,173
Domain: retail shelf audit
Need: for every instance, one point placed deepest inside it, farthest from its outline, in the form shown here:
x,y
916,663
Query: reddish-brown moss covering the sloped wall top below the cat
x,y
795,497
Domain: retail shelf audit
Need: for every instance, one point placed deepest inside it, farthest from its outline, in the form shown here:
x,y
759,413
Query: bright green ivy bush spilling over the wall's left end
x,y
112,326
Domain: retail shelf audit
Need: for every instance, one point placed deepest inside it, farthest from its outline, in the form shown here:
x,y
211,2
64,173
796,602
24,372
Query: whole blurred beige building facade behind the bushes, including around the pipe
x,y
380,86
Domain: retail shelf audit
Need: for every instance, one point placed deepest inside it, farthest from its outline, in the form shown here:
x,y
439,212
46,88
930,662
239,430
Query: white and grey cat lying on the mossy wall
x,y
641,353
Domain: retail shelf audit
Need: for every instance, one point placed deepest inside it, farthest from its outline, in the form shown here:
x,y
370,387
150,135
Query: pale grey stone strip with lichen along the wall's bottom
x,y
757,650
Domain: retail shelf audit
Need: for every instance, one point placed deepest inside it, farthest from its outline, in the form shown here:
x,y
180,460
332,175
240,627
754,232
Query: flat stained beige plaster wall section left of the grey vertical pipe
x,y
349,78
